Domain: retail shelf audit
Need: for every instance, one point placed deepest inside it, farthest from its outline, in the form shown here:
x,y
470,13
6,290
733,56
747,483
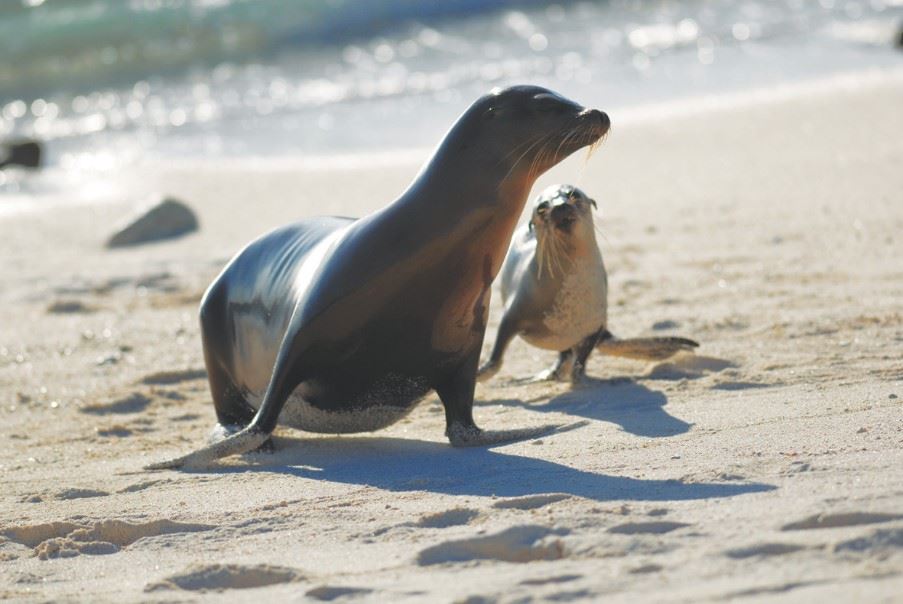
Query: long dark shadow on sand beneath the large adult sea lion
x,y
403,465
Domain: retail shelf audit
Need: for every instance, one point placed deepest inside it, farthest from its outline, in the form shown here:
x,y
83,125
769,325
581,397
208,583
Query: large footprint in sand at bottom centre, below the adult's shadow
x,y
517,544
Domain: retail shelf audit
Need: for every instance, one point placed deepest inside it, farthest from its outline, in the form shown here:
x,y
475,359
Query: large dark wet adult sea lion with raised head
x,y
338,325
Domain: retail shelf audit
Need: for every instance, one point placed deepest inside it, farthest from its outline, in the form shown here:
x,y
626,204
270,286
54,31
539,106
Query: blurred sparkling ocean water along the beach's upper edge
x,y
111,83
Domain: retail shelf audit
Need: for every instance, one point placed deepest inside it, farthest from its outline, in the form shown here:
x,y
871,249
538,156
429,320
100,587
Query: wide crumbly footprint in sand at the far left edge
x,y
67,539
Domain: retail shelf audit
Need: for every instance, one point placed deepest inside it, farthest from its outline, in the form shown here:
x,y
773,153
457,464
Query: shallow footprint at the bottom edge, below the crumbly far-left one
x,y
220,577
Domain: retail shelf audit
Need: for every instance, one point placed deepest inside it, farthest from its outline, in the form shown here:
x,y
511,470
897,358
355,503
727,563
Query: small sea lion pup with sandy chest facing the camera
x,y
555,291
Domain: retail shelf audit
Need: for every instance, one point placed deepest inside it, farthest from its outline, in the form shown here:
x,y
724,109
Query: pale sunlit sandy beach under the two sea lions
x,y
768,466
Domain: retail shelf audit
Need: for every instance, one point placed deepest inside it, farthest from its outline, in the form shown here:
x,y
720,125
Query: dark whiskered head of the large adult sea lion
x,y
522,131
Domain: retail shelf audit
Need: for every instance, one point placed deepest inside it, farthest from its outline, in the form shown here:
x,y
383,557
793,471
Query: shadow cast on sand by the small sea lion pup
x,y
636,408
